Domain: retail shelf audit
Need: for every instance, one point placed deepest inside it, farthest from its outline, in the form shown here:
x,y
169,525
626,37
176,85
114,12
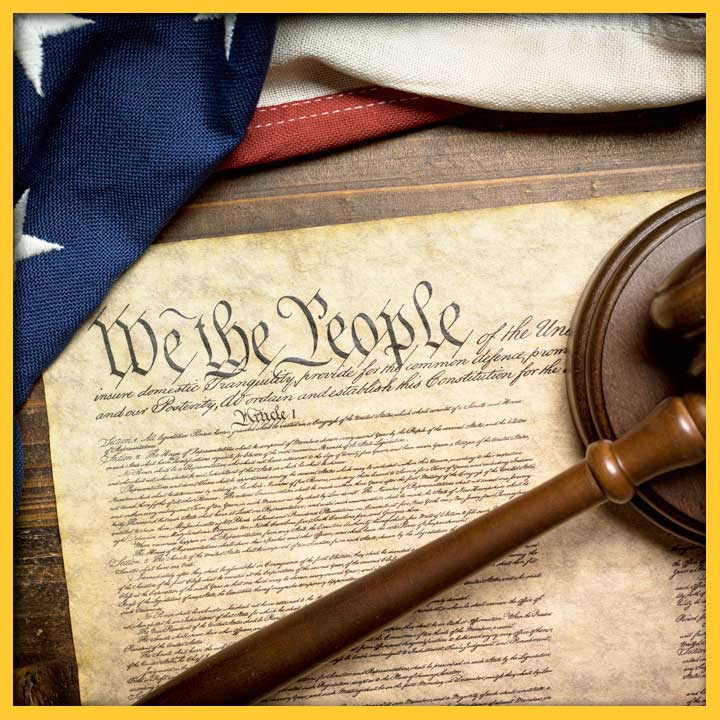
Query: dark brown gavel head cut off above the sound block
x,y
678,308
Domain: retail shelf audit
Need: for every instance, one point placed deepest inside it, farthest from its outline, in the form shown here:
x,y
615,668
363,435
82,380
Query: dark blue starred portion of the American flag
x,y
118,119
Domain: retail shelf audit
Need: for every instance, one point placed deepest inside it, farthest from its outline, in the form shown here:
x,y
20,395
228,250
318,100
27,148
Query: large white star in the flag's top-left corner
x,y
29,31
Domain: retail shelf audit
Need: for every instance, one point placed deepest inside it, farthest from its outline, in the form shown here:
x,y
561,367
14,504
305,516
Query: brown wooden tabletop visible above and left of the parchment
x,y
485,159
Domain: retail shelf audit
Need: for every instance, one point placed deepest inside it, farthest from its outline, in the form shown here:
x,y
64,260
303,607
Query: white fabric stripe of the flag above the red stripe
x,y
536,63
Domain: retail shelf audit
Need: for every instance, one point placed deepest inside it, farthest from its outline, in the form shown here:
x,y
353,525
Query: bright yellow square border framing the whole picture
x,y
713,379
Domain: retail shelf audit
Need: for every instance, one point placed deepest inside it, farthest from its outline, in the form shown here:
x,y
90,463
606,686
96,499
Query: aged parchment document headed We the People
x,y
247,423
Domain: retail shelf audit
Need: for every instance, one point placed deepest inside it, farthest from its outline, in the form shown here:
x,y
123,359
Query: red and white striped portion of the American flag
x,y
340,79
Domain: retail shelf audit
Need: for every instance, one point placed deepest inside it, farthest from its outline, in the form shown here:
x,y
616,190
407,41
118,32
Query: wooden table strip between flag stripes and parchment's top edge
x,y
482,160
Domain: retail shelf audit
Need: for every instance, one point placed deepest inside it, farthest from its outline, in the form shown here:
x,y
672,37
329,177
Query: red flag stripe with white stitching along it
x,y
285,131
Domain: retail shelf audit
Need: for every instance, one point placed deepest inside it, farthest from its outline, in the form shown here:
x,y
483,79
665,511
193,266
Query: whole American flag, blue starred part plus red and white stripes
x,y
118,119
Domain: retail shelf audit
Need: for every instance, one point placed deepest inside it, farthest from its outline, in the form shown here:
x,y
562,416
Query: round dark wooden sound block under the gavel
x,y
619,367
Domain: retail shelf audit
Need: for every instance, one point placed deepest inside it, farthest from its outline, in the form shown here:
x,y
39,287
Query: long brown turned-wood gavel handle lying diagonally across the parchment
x,y
673,436
